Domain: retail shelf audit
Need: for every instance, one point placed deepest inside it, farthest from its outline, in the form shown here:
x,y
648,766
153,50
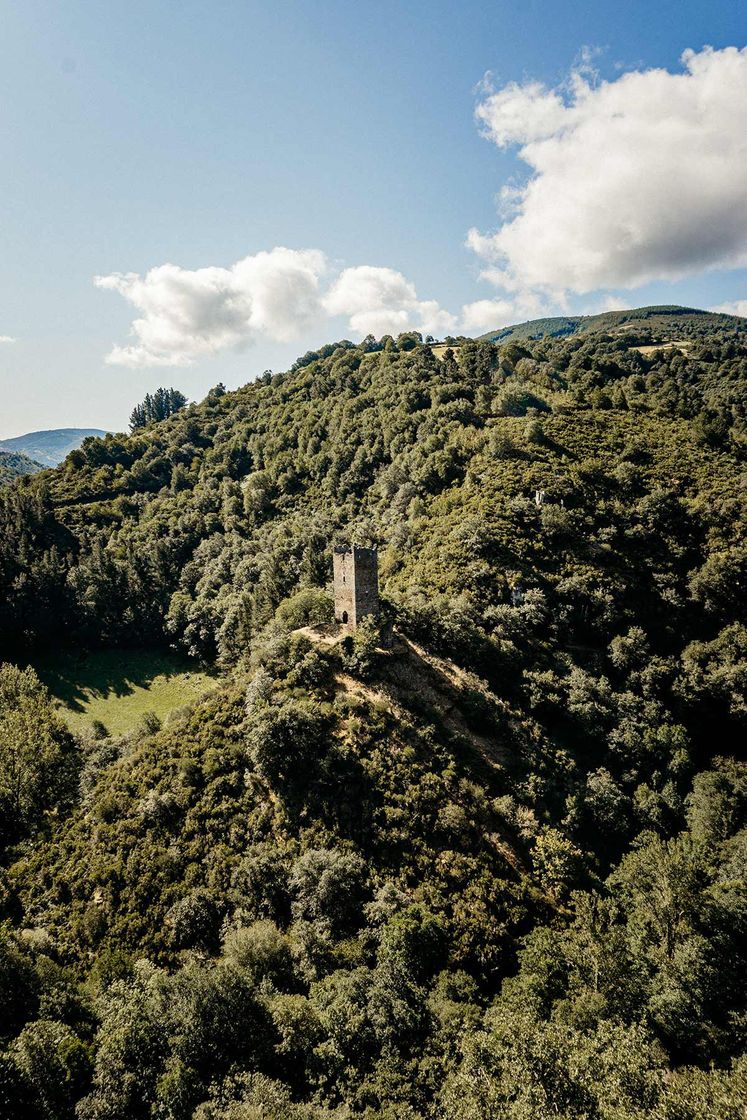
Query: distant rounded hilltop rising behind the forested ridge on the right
x,y
651,323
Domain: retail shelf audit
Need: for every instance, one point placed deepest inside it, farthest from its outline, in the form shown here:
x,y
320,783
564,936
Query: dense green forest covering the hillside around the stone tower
x,y
493,872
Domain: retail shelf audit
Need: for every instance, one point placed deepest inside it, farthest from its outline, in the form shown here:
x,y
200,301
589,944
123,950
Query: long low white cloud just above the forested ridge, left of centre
x,y
189,314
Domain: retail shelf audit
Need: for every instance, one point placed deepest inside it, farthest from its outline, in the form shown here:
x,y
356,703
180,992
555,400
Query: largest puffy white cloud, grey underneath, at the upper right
x,y
631,181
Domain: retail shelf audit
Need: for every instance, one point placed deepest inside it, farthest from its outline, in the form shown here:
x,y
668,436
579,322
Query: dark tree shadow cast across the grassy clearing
x,y
78,677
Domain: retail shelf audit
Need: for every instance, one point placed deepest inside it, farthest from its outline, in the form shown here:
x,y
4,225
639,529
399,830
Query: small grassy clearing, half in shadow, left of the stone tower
x,y
118,687
